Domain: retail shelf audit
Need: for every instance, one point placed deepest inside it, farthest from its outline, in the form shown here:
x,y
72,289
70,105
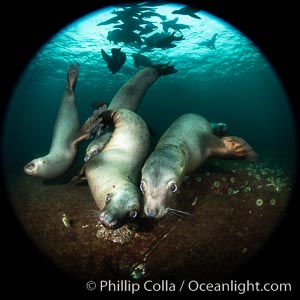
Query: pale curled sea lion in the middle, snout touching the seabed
x,y
114,173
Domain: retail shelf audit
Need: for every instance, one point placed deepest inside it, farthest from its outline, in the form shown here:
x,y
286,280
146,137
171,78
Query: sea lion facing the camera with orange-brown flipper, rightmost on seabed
x,y
185,145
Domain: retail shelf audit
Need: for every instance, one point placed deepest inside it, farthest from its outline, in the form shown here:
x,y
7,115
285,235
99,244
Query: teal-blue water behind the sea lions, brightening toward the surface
x,y
233,83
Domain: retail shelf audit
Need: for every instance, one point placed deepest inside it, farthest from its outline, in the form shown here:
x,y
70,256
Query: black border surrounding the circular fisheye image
x,y
27,25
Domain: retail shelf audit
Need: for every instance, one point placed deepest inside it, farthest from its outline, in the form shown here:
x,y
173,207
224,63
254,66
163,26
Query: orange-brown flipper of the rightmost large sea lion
x,y
232,147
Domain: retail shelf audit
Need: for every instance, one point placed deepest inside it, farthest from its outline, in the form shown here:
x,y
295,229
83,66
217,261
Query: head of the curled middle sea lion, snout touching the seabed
x,y
122,205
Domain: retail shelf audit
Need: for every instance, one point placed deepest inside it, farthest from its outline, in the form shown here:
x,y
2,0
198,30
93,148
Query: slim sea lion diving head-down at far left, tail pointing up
x,y
64,142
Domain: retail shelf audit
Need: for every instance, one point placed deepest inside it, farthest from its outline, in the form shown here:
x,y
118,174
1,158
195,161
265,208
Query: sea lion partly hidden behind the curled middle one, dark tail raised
x,y
129,97
